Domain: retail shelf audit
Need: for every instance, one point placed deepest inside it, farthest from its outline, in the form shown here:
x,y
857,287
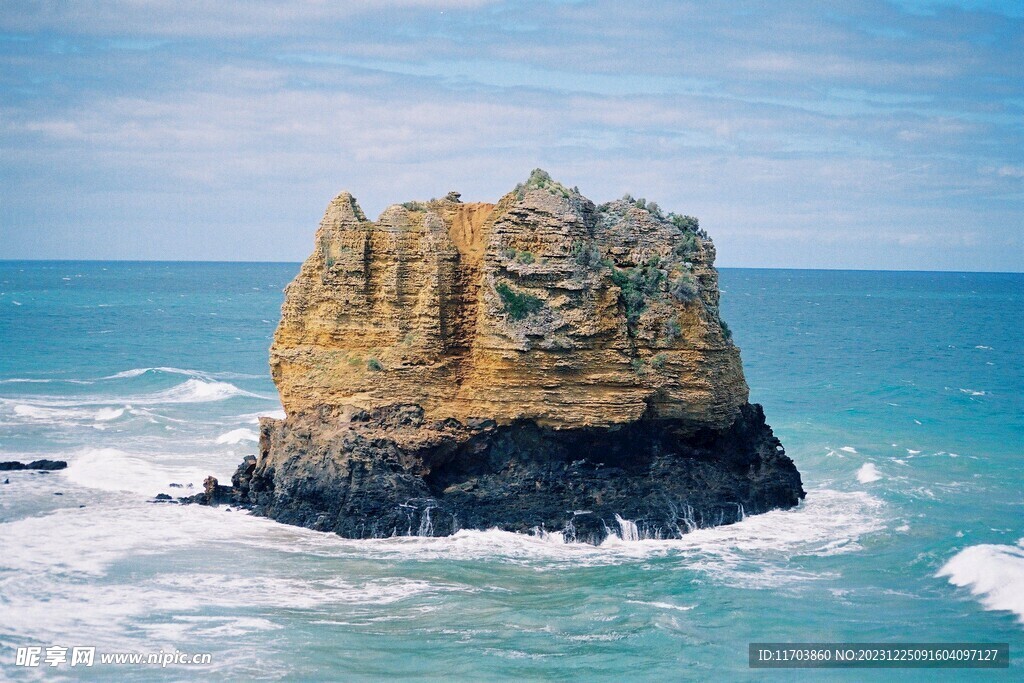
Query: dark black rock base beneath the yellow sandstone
x,y
390,475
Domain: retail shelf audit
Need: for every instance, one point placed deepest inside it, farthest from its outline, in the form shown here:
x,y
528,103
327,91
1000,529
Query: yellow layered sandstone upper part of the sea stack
x,y
543,308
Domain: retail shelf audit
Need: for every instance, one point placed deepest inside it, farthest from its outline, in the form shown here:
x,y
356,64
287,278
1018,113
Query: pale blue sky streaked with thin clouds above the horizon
x,y
880,135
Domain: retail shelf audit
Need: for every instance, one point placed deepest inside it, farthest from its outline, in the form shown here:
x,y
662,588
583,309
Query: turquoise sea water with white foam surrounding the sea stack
x,y
899,395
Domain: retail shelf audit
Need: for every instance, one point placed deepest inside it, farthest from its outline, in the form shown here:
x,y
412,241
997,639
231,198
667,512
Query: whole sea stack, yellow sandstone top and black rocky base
x,y
540,364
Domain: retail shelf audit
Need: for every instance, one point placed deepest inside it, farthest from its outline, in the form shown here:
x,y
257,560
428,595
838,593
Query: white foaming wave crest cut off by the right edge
x,y
993,573
